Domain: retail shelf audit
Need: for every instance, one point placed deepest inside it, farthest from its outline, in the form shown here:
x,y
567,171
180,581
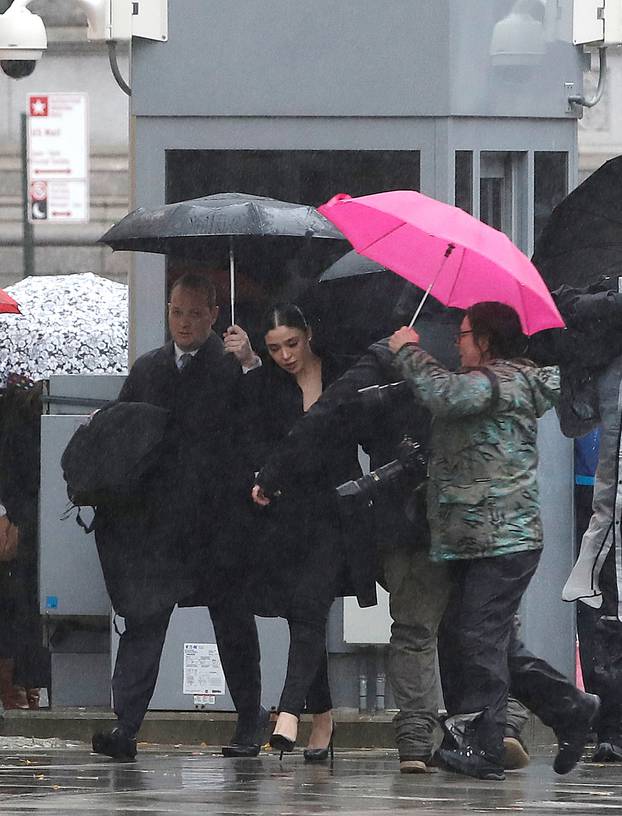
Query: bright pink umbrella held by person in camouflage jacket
x,y
446,251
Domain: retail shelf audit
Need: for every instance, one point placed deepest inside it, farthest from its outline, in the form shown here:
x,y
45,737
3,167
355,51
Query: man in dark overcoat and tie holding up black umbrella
x,y
173,549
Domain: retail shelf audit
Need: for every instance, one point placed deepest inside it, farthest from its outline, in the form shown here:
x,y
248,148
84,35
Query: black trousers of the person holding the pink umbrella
x,y
487,660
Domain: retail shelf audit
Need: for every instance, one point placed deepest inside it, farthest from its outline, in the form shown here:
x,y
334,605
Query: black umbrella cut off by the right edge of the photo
x,y
582,240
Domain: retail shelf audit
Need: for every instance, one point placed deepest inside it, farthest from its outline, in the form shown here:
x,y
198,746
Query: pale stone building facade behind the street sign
x,y
71,63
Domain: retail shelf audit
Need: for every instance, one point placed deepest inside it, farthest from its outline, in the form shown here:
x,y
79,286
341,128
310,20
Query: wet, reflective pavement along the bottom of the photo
x,y
163,781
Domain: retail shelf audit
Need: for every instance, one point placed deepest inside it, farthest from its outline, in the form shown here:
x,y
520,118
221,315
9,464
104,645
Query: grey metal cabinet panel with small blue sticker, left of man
x,y
70,577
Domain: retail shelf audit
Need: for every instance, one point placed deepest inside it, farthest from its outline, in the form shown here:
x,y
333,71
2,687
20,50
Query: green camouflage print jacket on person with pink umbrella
x,y
482,490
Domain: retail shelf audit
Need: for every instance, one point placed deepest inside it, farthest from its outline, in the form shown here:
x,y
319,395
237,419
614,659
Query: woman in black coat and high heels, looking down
x,y
303,558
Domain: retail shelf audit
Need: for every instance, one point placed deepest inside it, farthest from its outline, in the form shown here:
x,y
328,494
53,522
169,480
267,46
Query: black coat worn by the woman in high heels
x,y
300,540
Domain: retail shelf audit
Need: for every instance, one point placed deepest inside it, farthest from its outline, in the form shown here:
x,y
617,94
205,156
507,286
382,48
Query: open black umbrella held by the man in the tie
x,y
196,228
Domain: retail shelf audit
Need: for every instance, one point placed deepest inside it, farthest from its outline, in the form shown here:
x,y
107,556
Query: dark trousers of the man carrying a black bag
x,y
138,661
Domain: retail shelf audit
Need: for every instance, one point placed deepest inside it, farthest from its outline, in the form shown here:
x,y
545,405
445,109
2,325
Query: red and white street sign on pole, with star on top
x,y
58,155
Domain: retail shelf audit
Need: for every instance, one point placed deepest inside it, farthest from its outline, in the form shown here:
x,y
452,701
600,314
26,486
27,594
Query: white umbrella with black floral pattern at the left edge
x,y
70,324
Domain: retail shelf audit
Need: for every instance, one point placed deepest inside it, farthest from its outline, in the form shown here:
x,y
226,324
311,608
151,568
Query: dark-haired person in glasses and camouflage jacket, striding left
x,y
484,517
